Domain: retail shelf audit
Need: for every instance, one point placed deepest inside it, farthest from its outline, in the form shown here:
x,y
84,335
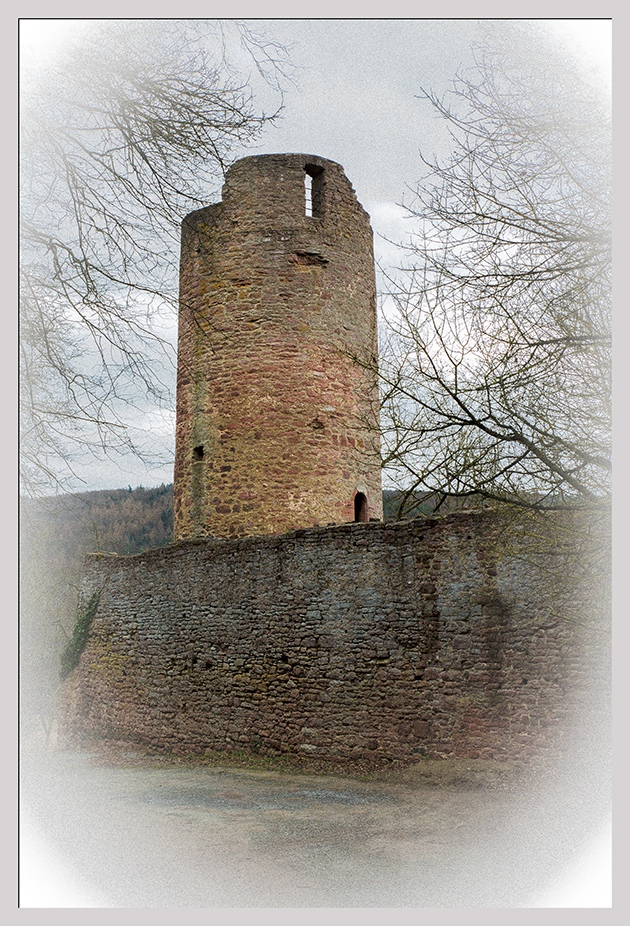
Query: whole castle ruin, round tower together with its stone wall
x,y
280,621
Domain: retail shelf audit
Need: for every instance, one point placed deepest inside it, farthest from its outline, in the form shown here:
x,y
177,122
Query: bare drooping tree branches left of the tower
x,y
127,130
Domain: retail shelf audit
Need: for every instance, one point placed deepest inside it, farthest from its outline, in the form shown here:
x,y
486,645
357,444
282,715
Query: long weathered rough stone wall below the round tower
x,y
380,641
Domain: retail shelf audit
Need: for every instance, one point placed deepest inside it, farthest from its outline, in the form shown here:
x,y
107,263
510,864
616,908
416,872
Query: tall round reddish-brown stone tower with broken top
x,y
277,400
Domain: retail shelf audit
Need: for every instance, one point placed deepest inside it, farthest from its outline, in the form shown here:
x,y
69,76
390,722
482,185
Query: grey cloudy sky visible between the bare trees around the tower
x,y
354,100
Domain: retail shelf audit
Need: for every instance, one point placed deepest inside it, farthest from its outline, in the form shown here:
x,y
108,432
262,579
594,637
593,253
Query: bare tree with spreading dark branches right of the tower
x,y
495,353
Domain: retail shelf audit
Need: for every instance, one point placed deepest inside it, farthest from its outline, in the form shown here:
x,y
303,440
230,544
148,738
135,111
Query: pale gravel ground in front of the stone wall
x,y
118,829
